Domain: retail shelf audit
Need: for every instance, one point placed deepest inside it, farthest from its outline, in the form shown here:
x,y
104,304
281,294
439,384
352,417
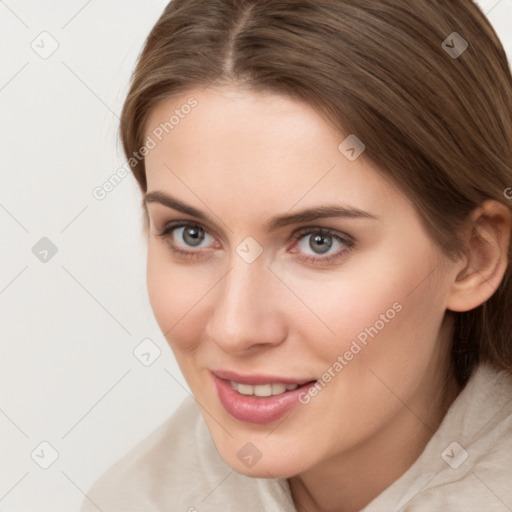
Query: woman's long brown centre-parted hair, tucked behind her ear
x,y
439,125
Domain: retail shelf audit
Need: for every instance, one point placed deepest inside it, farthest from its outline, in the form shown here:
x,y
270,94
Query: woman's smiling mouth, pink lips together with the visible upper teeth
x,y
258,399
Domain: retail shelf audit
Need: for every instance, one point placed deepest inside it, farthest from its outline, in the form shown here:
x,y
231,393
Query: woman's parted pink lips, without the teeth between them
x,y
257,410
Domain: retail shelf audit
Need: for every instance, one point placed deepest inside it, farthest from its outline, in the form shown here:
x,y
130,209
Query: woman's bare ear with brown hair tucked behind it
x,y
487,239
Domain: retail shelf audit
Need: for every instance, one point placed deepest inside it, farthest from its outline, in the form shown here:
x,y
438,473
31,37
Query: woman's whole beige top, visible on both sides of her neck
x,y
465,467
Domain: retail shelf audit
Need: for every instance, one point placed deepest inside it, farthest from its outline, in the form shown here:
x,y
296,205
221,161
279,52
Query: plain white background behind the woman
x,y
71,321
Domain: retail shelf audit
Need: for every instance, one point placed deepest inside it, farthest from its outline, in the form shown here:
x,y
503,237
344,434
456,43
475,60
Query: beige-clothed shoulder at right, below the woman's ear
x,y
467,463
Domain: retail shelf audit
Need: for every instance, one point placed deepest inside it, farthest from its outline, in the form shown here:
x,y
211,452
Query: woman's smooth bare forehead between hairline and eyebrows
x,y
257,151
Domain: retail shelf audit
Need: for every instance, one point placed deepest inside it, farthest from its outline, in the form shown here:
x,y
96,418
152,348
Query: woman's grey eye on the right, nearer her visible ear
x,y
321,244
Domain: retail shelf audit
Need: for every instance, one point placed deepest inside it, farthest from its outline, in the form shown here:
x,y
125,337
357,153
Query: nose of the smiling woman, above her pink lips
x,y
247,311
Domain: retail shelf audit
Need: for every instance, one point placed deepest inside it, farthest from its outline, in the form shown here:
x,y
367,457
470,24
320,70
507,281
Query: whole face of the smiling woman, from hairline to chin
x,y
293,269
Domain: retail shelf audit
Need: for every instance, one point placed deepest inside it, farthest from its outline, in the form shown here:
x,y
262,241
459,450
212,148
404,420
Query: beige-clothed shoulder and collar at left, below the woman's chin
x,y
178,468
